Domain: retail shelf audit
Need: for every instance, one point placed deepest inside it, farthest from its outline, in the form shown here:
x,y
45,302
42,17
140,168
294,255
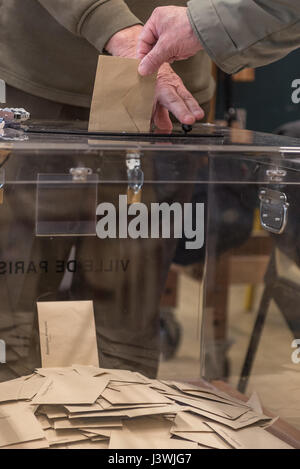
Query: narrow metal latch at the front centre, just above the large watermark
x,y
135,177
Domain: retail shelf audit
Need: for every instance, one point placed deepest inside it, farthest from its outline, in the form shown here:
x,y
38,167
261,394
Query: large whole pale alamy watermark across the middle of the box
x,y
160,220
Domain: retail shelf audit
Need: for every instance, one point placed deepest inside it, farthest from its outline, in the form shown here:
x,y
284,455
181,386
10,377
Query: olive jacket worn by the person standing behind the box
x,y
49,48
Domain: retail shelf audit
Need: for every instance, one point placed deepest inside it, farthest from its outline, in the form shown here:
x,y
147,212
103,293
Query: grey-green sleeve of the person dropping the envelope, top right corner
x,y
246,33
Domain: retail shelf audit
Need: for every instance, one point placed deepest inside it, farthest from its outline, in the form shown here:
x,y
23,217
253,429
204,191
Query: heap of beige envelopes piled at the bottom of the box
x,y
87,407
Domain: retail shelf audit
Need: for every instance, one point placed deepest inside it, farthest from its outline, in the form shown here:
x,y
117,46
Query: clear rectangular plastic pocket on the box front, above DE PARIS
x,y
66,203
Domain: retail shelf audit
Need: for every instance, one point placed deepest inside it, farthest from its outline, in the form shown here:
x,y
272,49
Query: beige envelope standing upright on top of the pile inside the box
x,y
67,333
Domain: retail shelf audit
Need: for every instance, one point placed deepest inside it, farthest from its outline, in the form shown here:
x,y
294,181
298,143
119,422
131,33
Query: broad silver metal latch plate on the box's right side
x,y
273,210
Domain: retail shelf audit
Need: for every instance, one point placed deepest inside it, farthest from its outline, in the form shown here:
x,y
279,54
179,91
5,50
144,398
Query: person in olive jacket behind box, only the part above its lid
x,y
50,48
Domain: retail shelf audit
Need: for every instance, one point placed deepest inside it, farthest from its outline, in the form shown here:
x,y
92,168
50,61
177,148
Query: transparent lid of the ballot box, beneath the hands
x,y
178,156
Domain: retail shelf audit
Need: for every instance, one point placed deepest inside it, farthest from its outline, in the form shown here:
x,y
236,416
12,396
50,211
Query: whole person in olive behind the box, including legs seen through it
x,y
48,58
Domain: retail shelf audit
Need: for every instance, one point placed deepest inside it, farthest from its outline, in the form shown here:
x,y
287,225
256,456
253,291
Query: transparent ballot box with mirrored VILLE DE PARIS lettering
x,y
176,256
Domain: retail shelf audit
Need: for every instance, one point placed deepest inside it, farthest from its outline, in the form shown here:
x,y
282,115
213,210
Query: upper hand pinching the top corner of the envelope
x,y
167,36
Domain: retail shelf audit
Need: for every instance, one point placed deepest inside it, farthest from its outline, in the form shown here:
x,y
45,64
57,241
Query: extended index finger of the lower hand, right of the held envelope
x,y
170,99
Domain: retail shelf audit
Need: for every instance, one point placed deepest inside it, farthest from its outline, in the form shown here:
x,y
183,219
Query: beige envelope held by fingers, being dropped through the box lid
x,y
122,99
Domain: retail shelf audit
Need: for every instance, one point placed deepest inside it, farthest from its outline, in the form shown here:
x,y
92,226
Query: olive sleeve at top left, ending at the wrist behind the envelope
x,y
95,20
